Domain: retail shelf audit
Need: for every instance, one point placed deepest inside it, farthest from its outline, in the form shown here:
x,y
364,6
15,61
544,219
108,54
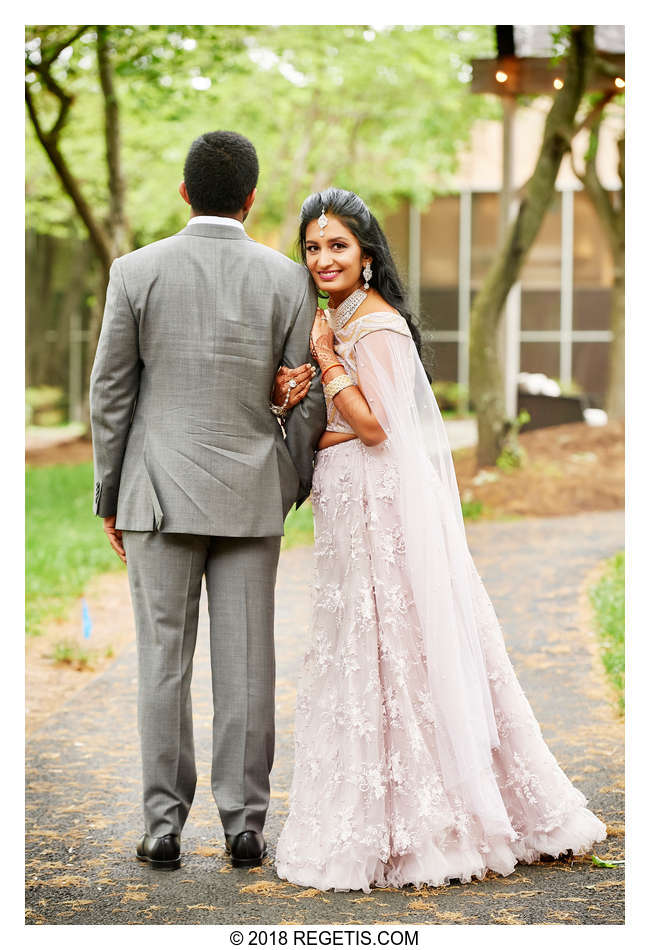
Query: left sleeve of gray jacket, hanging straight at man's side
x,y
114,384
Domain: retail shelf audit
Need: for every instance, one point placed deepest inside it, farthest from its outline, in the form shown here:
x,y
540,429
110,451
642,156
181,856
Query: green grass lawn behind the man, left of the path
x,y
66,545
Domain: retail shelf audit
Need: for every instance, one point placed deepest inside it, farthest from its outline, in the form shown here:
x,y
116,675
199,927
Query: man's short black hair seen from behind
x,y
221,170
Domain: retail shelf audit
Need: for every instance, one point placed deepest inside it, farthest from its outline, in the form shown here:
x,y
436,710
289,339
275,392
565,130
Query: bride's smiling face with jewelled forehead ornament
x,y
335,259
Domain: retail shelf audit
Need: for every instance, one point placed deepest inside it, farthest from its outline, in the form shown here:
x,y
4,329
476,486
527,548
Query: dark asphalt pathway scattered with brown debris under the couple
x,y
83,774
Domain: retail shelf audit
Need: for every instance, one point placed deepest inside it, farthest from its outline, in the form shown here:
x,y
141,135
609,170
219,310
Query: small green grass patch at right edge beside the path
x,y
608,600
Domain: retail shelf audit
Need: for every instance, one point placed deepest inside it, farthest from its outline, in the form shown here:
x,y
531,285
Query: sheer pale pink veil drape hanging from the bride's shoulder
x,y
440,570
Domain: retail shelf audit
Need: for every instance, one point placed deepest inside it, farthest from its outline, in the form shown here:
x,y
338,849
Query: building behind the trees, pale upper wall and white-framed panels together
x,y
564,317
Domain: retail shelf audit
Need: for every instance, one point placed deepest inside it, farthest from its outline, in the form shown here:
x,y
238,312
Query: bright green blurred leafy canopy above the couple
x,y
381,110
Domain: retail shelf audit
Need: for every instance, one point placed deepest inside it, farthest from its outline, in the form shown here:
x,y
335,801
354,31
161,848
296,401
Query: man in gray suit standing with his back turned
x,y
194,477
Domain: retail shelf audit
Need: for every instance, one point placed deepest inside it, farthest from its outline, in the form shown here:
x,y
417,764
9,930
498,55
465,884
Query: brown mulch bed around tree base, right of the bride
x,y
569,469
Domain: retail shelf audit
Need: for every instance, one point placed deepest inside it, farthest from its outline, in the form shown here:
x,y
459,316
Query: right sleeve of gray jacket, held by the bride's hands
x,y
307,420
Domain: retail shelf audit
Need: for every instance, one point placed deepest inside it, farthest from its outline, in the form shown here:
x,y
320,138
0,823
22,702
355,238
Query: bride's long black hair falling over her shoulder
x,y
354,214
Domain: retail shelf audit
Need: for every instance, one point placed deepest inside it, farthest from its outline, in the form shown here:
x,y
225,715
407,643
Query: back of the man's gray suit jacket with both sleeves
x,y
194,329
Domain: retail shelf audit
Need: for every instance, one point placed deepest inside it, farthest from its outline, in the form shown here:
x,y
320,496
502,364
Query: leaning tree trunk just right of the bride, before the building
x,y
485,371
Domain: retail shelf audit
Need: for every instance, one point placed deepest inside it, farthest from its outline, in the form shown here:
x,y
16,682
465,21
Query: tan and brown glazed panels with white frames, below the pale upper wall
x,y
541,287
